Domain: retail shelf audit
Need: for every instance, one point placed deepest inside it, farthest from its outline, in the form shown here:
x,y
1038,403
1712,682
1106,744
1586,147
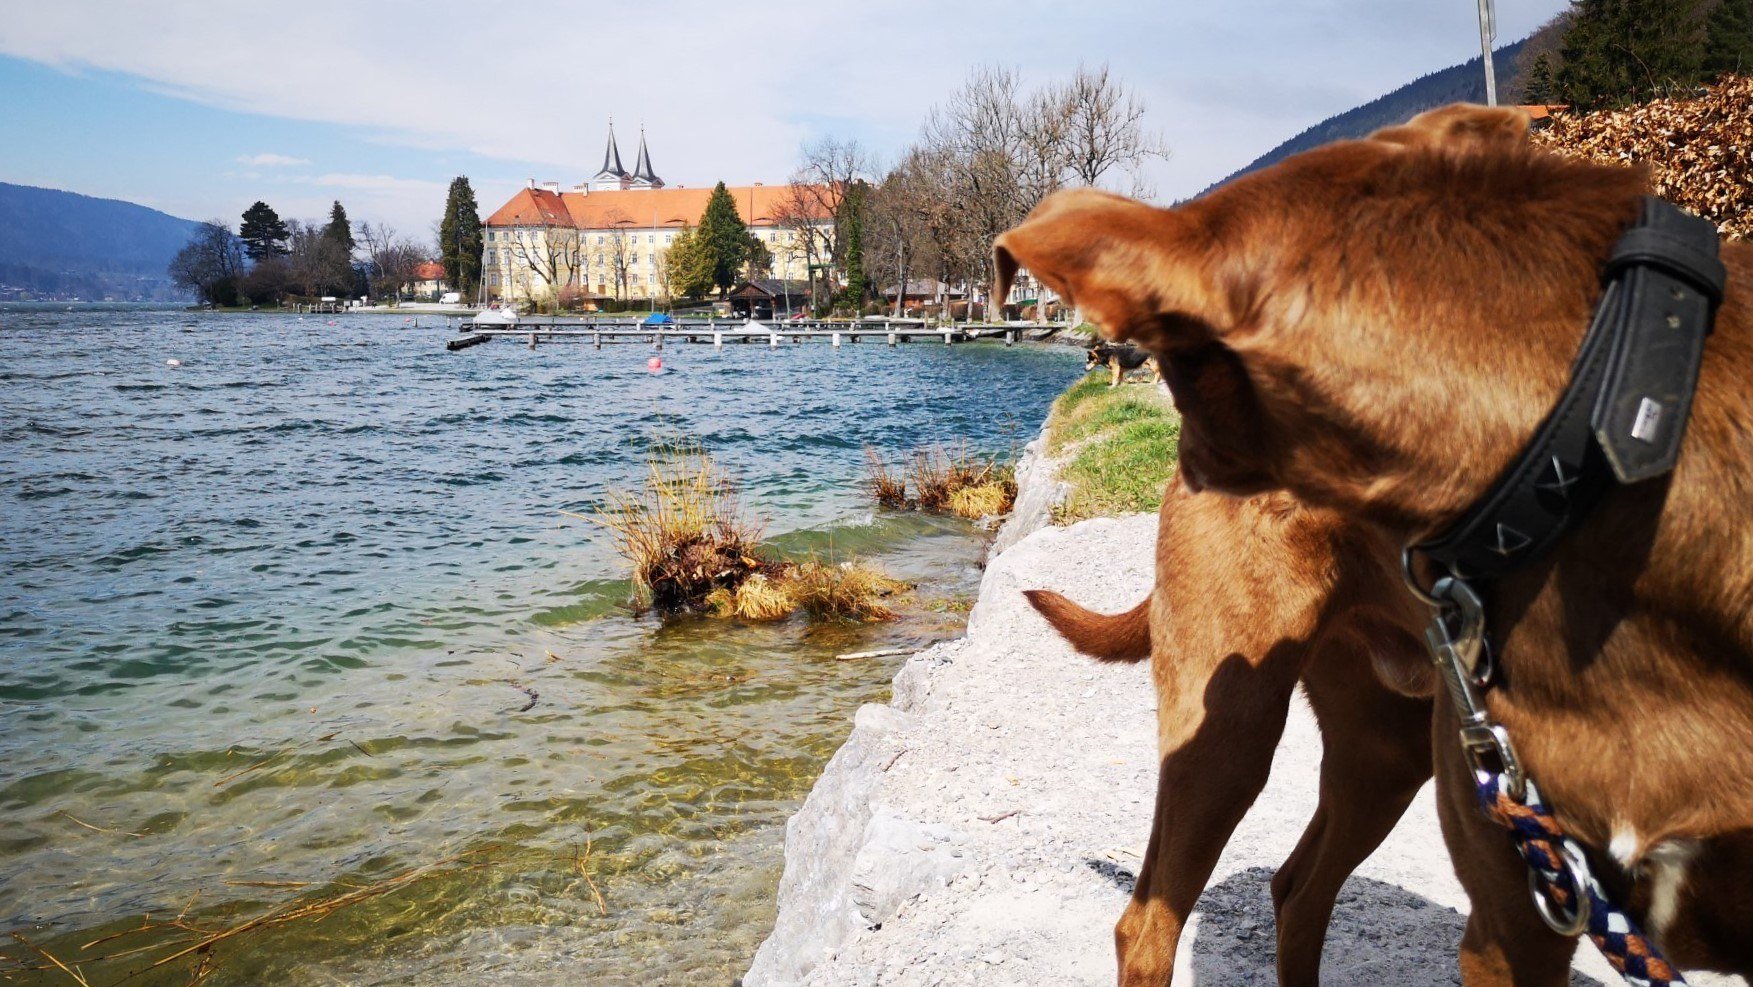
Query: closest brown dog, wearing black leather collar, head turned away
x,y
1379,327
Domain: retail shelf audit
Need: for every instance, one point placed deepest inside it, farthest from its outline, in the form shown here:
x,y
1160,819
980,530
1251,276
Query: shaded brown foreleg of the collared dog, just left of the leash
x,y
1507,944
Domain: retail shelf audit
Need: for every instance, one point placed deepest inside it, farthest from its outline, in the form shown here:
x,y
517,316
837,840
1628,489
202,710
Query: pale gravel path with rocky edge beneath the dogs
x,y
988,823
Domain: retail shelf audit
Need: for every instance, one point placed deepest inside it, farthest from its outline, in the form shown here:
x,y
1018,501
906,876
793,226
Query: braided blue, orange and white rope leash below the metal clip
x,y
1558,863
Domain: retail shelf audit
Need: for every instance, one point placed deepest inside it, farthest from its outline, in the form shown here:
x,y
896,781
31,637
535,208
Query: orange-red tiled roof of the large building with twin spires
x,y
758,206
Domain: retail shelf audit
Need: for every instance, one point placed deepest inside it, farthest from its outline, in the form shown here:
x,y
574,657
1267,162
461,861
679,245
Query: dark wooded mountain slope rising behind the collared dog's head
x,y
1456,85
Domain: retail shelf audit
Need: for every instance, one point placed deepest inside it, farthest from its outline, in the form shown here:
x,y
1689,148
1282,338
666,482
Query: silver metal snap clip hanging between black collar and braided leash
x,y
1456,639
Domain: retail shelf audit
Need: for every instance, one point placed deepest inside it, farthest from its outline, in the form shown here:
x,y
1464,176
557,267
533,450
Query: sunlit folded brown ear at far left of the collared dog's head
x,y
1125,264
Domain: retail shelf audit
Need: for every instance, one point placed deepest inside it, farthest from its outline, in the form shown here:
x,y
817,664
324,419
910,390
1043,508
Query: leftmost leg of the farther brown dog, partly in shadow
x,y
1212,770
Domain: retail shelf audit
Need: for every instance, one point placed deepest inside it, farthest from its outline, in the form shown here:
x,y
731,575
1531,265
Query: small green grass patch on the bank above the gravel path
x,y
1121,446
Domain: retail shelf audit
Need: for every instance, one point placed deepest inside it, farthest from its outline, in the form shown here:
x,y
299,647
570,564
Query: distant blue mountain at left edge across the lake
x,y
73,246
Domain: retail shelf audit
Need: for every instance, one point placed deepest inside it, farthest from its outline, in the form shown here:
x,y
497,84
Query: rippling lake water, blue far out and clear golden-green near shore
x,y
274,616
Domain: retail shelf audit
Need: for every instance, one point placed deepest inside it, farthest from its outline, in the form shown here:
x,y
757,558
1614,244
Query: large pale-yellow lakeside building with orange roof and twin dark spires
x,y
607,236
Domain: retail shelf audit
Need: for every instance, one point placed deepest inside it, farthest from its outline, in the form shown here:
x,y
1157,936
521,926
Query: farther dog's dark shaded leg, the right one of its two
x,y
1377,756
